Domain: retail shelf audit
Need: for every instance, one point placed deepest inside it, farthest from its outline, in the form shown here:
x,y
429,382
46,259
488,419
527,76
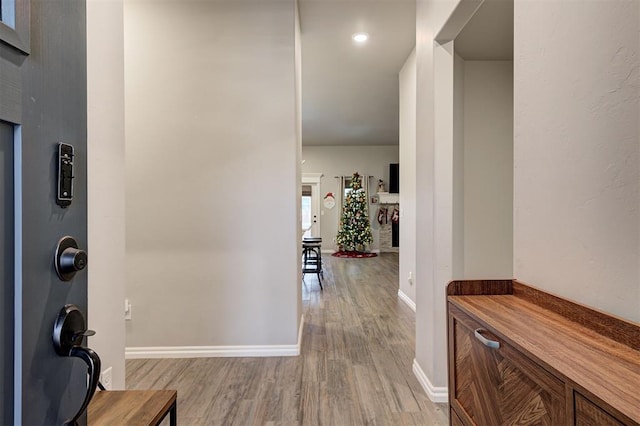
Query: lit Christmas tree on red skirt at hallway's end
x,y
355,229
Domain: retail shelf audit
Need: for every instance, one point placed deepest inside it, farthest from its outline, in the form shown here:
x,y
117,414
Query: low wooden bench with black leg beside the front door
x,y
133,408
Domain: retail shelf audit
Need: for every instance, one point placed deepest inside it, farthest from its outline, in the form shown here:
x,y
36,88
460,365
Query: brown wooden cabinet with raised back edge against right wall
x,y
518,355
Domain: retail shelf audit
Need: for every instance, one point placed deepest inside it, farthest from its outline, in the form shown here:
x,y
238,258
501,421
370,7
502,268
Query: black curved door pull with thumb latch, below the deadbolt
x,y
69,332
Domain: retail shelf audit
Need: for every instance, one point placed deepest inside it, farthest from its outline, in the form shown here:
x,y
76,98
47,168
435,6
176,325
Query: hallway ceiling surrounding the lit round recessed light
x,y
349,91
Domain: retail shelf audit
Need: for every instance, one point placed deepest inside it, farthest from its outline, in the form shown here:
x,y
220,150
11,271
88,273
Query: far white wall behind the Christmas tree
x,y
334,161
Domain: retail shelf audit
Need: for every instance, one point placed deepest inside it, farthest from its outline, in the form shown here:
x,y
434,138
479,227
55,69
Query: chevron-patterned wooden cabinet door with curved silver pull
x,y
500,386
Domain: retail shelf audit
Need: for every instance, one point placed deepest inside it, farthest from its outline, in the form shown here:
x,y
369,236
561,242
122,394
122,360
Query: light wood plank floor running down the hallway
x,y
354,369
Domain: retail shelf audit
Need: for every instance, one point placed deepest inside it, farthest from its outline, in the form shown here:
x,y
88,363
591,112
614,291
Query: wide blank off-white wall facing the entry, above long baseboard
x,y
212,174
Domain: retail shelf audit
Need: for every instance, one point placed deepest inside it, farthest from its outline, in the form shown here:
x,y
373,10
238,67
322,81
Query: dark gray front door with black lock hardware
x,y
42,103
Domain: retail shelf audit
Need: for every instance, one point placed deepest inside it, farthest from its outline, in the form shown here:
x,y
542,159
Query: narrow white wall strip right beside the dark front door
x,y
106,221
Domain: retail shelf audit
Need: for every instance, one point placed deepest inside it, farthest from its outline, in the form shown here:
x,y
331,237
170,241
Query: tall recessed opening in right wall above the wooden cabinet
x,y
474,80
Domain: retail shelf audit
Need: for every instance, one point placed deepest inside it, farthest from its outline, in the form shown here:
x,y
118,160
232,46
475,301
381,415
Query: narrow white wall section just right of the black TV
x,y
407,261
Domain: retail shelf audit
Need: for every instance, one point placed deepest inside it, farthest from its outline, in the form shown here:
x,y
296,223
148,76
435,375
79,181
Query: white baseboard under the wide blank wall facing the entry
x,y
216,351
